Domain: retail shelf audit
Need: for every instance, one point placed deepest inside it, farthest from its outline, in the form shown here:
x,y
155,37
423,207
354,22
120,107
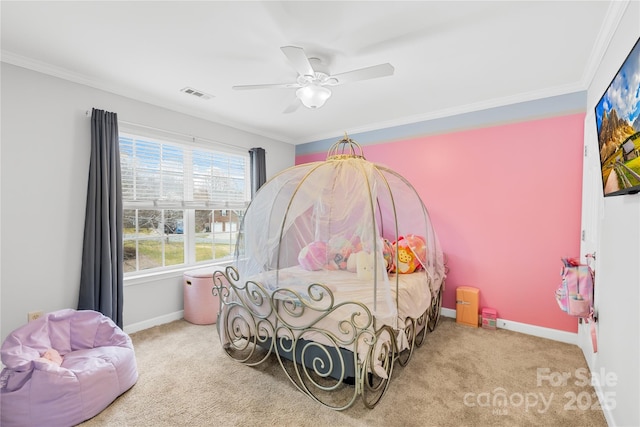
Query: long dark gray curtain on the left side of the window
x,y
101,278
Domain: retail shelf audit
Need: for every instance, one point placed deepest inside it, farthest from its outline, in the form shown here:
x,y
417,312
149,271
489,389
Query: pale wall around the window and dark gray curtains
x,y
44,170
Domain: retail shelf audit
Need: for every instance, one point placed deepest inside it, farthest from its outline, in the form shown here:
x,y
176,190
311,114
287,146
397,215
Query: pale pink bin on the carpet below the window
x,y
200,306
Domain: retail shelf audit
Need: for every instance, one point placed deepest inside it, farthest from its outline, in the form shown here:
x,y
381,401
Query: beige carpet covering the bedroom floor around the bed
x,y
455,379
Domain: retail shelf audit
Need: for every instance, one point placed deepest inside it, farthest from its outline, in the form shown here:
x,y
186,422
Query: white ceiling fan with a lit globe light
x,y
313,81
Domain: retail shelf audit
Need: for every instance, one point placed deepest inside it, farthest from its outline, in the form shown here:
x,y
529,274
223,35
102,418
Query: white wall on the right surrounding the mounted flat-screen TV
x,y
612,231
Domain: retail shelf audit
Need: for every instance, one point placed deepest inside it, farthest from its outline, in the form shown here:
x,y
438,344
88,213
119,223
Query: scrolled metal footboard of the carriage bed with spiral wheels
x,y
333,369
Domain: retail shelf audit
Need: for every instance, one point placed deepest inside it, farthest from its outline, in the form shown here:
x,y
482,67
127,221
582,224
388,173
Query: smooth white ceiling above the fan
x,y
450,57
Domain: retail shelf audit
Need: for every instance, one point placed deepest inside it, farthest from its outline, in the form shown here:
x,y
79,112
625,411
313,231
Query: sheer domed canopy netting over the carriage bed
x,y
341,216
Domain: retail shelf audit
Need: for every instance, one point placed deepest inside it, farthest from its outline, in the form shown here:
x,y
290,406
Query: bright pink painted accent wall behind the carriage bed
x,y
506,205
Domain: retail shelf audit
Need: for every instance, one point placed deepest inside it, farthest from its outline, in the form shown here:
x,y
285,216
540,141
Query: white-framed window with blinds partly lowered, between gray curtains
x,y
183,204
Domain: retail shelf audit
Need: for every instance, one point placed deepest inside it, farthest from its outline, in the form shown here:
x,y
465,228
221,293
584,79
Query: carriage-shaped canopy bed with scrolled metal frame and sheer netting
x,y
338,272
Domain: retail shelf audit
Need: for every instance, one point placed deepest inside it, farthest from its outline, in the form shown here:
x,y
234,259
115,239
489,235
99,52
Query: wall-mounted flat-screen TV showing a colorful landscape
x,y
618,124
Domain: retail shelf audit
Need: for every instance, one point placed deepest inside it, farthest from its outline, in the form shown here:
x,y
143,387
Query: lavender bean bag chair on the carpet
x,y
64,368
